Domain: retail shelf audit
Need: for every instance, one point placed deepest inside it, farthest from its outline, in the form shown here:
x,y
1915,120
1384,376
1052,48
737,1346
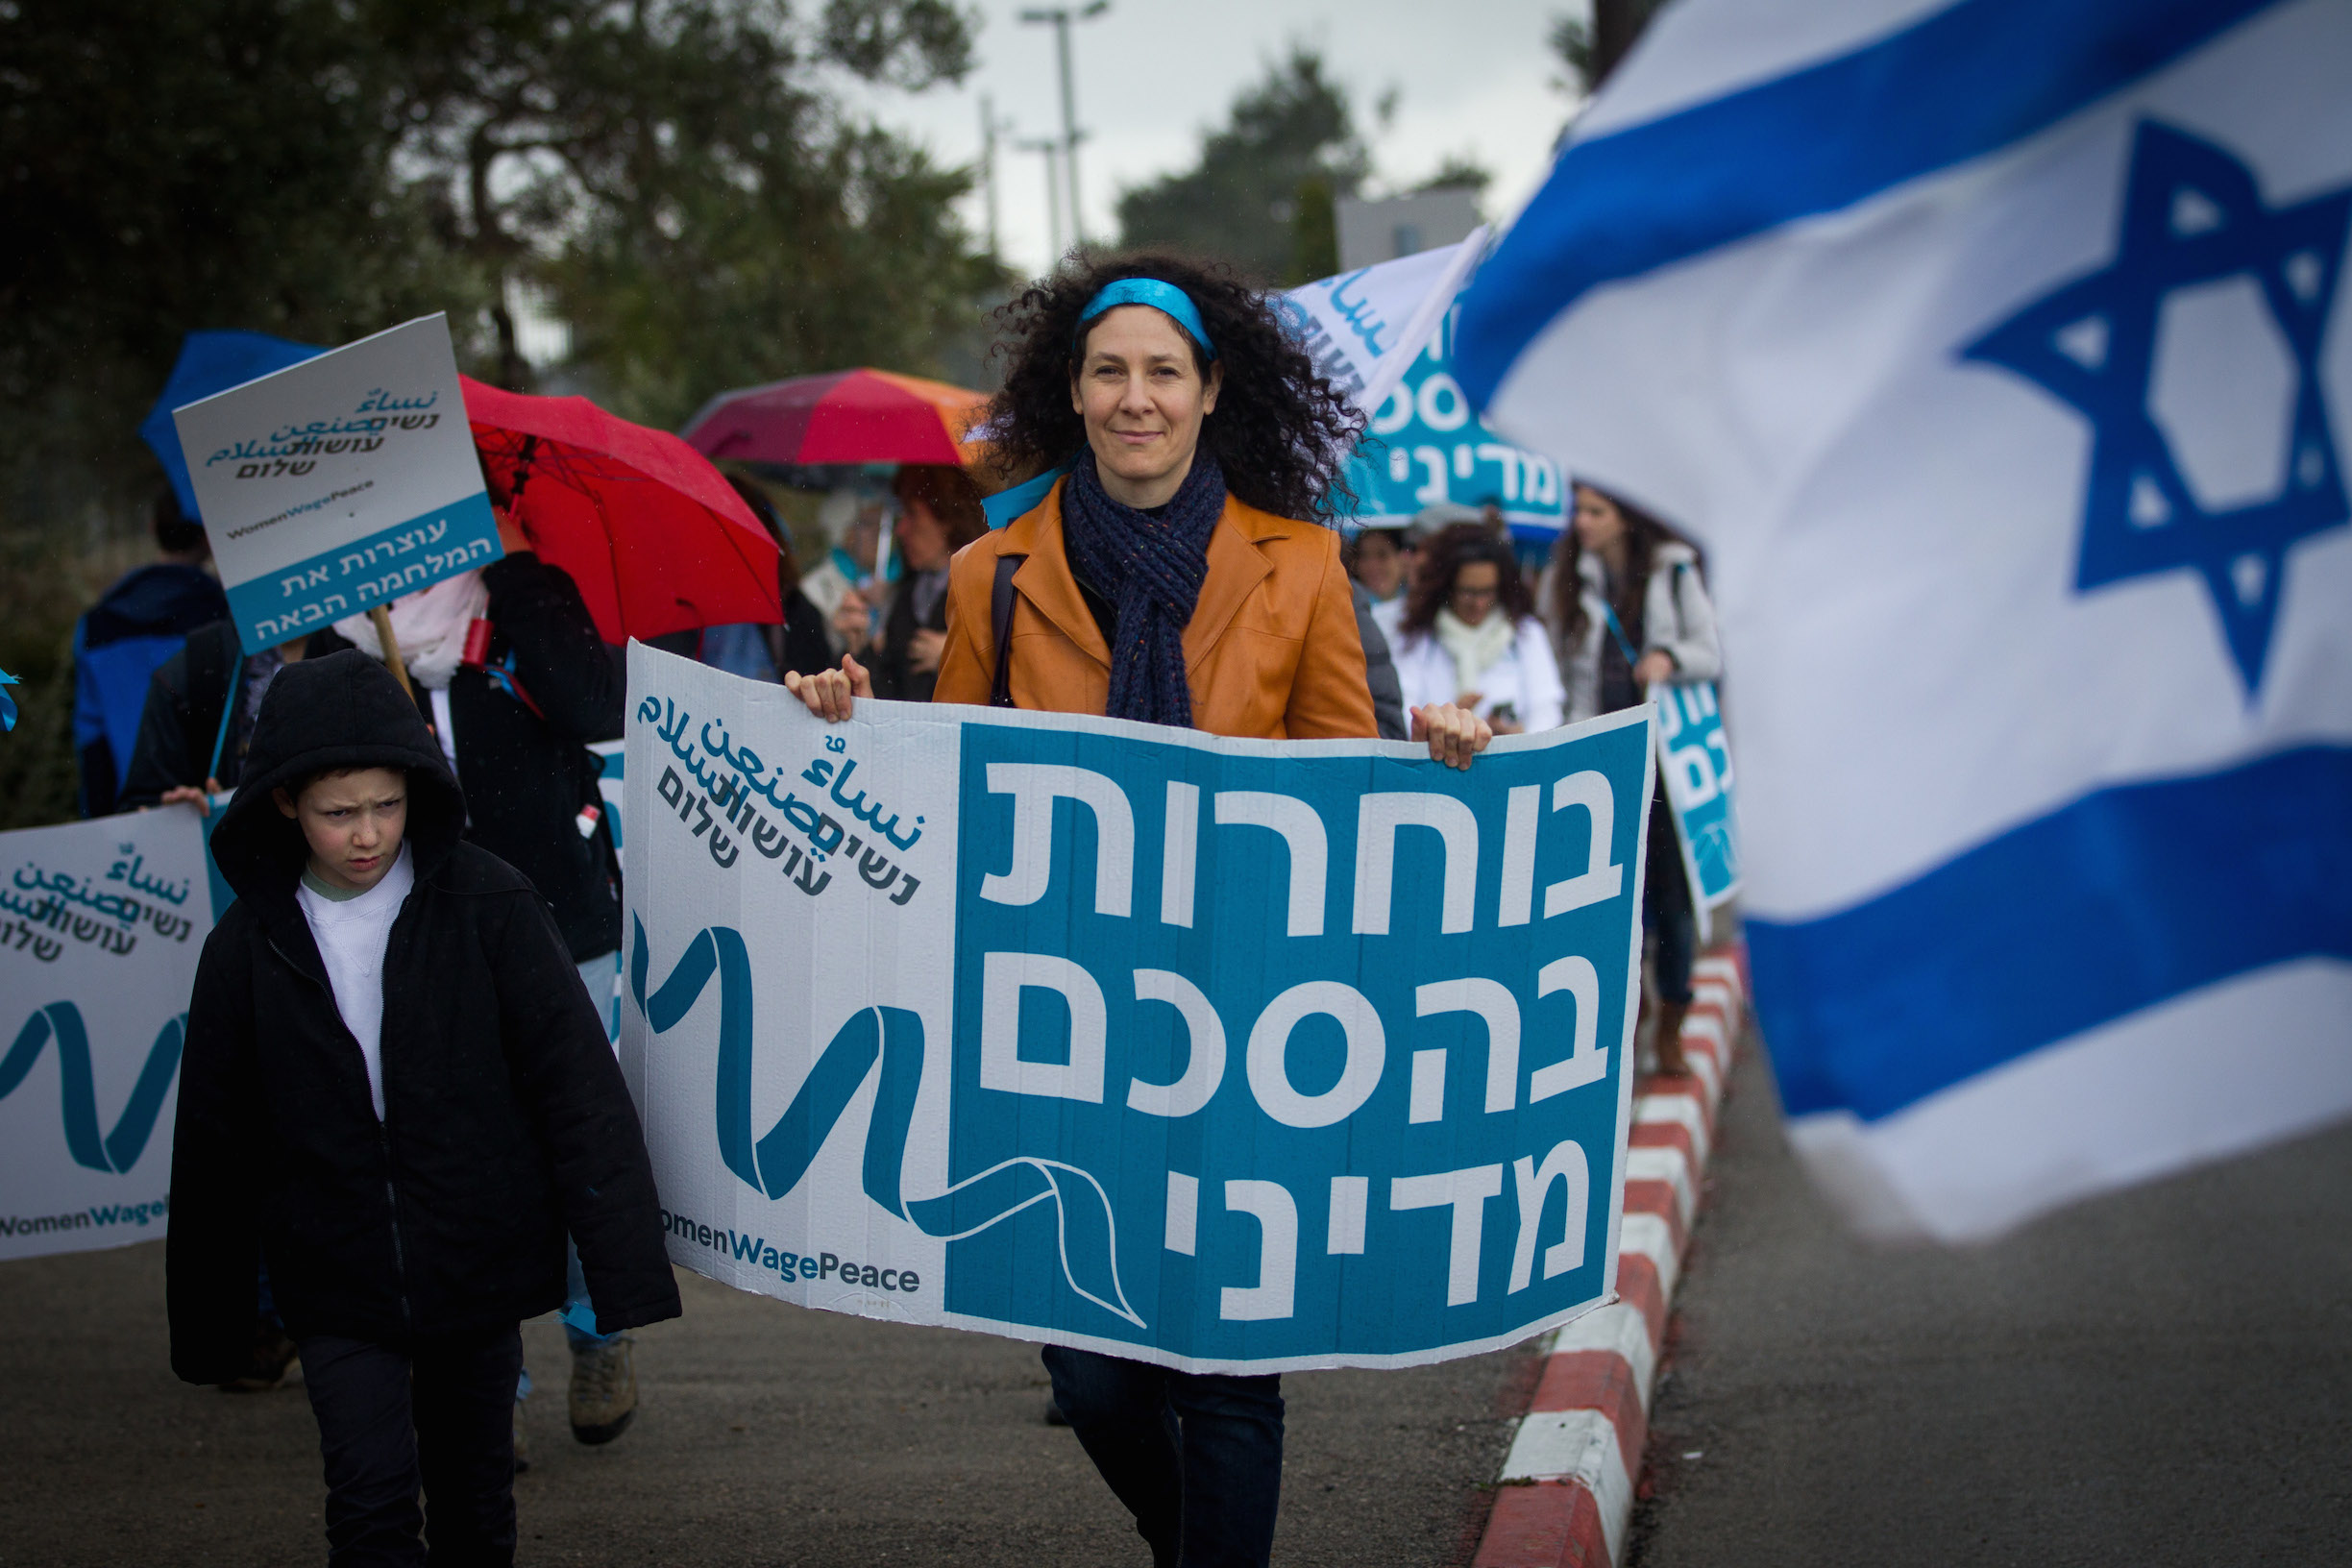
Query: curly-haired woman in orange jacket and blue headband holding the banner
x,y
1168,565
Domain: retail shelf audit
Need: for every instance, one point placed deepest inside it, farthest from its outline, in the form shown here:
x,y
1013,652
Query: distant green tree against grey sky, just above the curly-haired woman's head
x,y
1264,189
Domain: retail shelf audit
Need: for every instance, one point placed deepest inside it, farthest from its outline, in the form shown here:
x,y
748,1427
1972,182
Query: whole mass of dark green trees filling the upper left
x,y
683,173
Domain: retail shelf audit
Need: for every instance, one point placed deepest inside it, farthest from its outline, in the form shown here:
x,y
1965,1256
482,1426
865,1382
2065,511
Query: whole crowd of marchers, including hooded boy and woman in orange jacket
x,y
401,1125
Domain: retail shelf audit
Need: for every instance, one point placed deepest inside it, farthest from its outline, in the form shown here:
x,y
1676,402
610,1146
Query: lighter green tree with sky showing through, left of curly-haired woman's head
x,y
688,182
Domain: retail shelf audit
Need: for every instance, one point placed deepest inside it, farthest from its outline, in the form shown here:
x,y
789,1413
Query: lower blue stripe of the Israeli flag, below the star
x,y
2113,904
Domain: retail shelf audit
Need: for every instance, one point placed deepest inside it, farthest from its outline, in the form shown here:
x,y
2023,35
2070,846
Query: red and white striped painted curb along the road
x,y
1568,1485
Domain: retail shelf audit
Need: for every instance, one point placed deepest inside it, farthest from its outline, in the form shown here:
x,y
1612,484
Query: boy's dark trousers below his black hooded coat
x,y
434,1414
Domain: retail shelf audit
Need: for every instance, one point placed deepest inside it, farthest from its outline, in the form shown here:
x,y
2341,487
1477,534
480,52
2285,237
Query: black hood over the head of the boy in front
x,y
342,711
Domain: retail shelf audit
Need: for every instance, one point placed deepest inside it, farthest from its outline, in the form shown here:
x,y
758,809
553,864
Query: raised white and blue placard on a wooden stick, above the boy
x,y
340,483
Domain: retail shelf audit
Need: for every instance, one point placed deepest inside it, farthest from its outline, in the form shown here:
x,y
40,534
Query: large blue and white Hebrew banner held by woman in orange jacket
x,y
1220,1054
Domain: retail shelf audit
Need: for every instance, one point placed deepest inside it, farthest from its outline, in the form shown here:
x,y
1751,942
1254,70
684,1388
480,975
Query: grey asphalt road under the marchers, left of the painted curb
x,y
768,1435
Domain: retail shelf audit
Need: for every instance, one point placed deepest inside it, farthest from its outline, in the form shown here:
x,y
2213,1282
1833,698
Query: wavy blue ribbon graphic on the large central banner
x,y
893,1038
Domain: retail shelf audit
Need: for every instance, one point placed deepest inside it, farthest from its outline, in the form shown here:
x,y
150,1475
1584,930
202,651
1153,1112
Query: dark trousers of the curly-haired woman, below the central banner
x,y
1194,1456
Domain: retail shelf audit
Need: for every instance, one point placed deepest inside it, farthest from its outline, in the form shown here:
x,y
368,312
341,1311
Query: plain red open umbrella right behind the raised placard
x,y
646,525
